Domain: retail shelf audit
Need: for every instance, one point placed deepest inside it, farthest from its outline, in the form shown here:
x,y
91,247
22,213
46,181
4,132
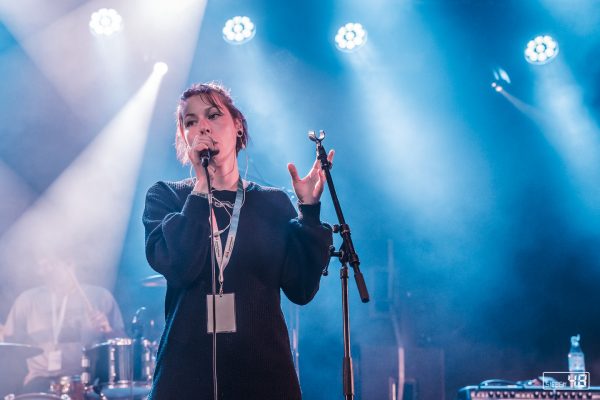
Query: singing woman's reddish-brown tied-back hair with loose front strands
x,y
210,93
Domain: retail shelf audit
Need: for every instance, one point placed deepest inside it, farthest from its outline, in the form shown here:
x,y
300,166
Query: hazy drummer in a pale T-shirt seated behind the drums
x,y
61,317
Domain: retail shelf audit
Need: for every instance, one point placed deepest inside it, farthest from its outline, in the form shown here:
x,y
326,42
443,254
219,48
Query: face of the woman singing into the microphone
x,y
202,121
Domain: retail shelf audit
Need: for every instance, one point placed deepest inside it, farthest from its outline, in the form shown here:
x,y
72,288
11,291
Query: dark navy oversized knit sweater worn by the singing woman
x,y
274,248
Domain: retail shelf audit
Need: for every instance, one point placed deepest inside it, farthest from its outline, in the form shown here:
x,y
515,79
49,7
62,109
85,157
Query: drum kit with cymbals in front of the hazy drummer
x,y
118,368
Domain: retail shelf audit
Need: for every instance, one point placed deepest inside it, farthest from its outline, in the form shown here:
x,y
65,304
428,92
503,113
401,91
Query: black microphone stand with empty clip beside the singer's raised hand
x,y
346,254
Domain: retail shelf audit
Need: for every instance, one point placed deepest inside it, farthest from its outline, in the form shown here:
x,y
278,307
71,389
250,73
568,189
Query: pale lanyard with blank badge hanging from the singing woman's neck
x,y
225,302
